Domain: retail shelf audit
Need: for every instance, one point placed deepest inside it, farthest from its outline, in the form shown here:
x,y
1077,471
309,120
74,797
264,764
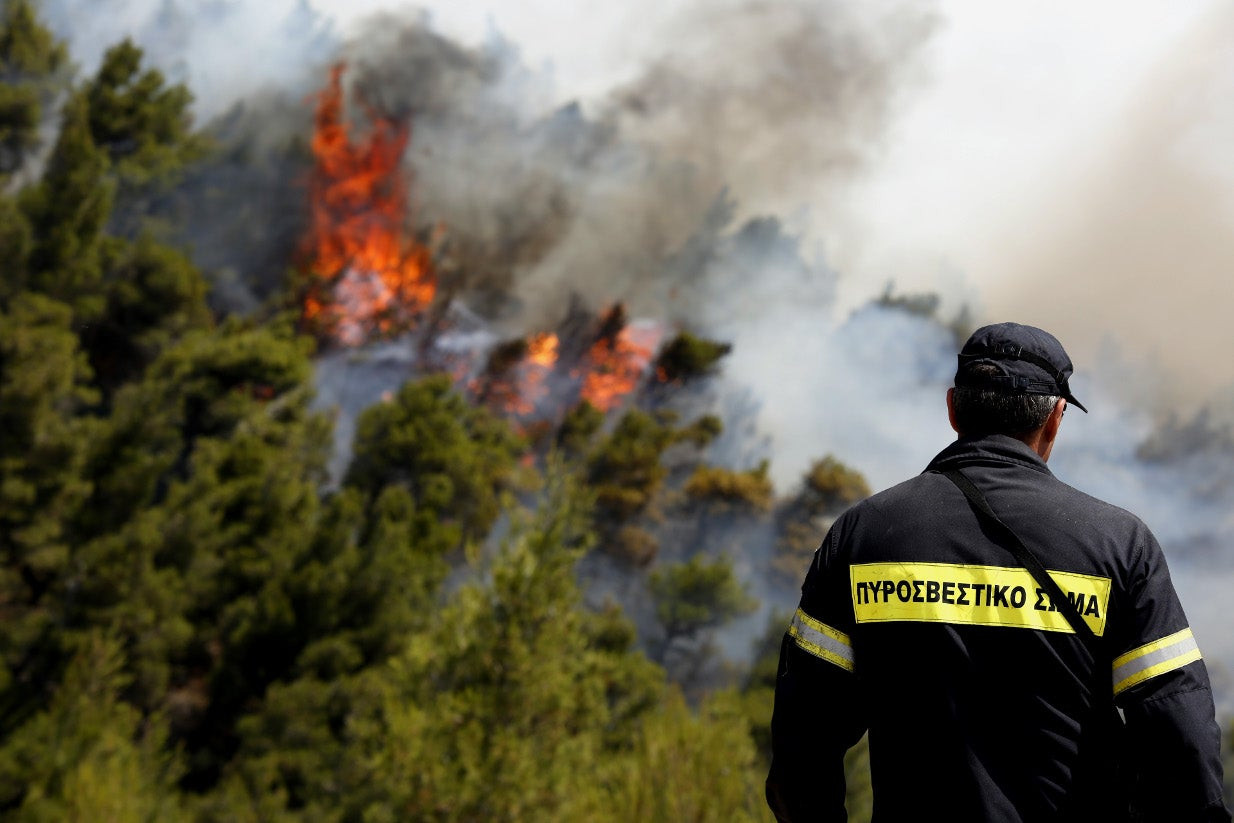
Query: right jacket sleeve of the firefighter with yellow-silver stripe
x,y
1162,685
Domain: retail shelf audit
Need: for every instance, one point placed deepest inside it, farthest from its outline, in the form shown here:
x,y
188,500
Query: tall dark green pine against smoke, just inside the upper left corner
x,y
124,129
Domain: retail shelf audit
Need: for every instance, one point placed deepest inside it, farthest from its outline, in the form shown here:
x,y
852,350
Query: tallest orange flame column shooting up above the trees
x,y
372,277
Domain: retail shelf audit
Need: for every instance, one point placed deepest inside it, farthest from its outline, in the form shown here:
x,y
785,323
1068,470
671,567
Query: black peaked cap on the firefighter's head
x,y
1030,361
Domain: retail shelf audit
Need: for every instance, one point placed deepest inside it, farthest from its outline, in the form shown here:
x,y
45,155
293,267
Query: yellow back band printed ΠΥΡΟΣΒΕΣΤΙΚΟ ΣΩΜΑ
x,y
947,593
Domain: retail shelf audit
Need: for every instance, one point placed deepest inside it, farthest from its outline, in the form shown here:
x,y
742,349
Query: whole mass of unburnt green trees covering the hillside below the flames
x,y
199,626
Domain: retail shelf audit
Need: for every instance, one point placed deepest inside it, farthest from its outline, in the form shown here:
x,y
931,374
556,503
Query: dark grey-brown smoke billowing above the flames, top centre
x,y
769,105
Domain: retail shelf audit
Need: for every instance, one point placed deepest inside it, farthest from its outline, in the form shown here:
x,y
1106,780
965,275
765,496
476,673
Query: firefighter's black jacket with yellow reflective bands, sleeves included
x,y
982,703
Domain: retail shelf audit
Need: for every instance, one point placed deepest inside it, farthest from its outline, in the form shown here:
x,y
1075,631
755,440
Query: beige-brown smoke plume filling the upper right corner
x,y
1131,238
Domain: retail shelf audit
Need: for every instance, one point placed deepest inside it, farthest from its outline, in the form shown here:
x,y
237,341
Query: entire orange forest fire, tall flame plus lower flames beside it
x,y
372,279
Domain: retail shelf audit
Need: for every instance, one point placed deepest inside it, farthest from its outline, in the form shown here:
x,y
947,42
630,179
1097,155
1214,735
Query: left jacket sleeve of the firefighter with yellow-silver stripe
x,y
818,715
